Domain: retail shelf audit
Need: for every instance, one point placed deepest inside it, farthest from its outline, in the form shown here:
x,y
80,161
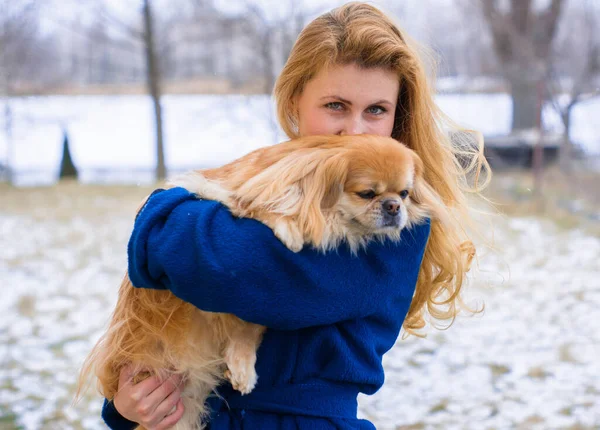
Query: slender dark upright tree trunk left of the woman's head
x,y
153,81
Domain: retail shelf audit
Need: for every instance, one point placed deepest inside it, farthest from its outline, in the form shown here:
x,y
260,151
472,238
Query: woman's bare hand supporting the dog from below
x,y
153,403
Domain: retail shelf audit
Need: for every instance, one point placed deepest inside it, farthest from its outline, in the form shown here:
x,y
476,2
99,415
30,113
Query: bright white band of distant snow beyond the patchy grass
x,y
116,132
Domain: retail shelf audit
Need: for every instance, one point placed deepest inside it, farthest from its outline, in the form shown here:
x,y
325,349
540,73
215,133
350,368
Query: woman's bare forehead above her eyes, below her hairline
x,y
354,83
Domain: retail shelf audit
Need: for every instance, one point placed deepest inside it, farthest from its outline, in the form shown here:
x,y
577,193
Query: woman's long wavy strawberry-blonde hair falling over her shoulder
x,y
358,33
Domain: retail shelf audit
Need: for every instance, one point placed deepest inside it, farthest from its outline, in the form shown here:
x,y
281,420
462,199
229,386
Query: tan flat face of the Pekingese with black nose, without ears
x,y
379,182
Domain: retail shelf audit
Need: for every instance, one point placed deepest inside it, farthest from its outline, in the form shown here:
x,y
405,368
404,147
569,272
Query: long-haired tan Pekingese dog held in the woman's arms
x,y
321,191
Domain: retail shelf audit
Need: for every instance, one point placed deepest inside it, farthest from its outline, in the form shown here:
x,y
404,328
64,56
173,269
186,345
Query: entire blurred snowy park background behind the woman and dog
x,y
100,100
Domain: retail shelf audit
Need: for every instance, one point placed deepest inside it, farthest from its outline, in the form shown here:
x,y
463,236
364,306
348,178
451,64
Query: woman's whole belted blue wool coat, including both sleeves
x,y
331,317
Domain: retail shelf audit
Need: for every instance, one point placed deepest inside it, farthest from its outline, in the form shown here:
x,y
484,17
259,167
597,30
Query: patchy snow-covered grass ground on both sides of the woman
x,y
528,362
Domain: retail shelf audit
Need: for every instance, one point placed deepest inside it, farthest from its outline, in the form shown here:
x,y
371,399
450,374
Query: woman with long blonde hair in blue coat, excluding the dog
x,y
330,317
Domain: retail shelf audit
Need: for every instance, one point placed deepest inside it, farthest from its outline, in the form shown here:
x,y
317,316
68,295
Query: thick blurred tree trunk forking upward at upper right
x,y
522,39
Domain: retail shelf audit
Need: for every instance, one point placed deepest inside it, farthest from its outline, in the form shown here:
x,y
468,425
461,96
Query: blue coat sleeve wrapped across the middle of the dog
x,y
220,263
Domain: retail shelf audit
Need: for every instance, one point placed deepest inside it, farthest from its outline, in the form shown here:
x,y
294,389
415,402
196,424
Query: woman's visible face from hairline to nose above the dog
x,y
348,100
